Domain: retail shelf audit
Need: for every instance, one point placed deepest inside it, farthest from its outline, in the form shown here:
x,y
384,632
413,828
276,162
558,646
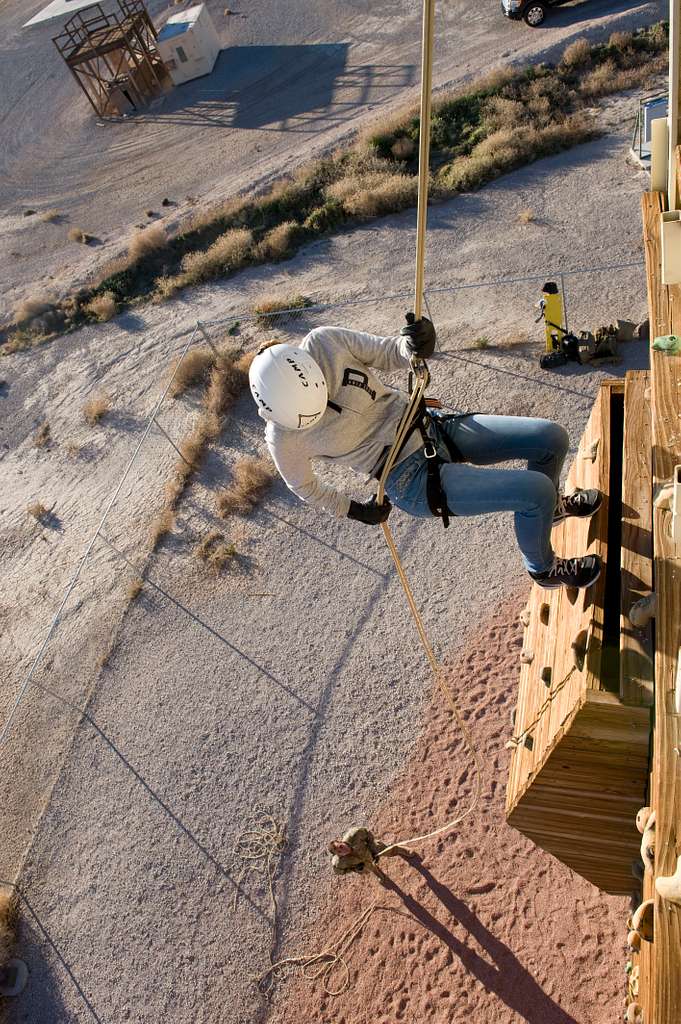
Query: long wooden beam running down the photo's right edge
x,y
663,988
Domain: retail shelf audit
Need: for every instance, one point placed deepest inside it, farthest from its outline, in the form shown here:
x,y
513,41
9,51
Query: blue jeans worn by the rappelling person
x,y
531,494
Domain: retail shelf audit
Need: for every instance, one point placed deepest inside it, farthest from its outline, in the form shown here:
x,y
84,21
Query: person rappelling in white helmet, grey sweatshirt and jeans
x,y
323,401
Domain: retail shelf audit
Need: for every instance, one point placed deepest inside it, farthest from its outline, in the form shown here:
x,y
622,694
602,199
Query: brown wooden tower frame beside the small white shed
x,y
114,58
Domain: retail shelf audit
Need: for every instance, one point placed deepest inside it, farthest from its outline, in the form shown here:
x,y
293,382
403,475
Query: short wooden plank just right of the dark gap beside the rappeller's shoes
x,y
636,666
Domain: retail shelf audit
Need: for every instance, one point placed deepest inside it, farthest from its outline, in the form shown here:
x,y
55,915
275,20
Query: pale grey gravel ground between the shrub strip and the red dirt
x,y
294,667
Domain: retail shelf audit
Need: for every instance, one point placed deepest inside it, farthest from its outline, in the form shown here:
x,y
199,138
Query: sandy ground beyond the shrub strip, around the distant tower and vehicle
x,y
293,78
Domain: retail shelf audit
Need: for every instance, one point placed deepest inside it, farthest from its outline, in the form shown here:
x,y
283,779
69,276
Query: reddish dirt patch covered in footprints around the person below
x,y
488,929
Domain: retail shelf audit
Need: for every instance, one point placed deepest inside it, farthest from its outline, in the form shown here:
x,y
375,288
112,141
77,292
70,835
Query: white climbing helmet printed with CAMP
x,y
289,388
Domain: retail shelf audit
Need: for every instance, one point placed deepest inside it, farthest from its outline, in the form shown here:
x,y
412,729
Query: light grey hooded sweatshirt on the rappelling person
x,y
356,433
